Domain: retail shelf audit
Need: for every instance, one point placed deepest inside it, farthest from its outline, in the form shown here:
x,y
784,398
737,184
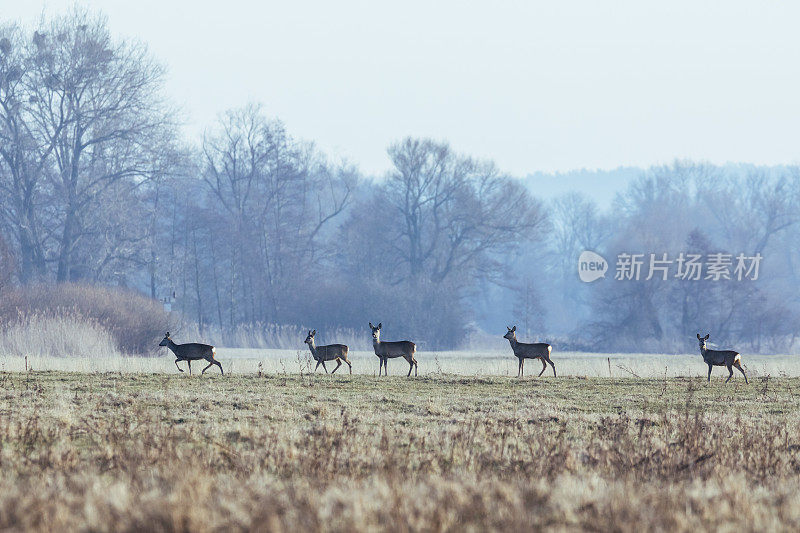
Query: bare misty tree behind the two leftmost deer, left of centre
x,y
273,197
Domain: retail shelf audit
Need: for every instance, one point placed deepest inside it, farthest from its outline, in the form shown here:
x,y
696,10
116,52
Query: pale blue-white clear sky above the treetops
x,y
553,85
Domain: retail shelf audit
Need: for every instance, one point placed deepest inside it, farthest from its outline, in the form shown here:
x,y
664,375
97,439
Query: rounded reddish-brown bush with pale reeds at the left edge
x,y
133,322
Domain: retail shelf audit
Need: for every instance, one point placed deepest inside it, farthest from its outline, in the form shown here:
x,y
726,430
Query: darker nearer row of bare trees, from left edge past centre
x,y
250,225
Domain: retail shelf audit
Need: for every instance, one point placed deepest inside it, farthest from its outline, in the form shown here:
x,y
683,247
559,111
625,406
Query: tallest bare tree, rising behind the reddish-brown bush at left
x,y
96,104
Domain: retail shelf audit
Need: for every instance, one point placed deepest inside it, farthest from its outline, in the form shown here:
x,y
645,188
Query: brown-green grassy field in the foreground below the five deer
x,y
292,452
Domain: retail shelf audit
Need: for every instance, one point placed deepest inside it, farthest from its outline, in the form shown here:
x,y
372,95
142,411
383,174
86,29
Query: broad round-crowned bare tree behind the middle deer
x,y
438,226
